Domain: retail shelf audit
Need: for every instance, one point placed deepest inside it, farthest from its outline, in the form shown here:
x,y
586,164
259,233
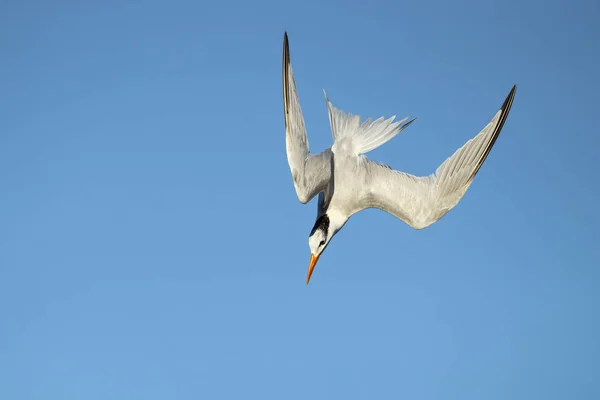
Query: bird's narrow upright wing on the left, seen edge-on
x,y
310,172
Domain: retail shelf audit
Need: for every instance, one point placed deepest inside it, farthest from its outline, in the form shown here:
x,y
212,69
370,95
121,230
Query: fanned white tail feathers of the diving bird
x,y
363,136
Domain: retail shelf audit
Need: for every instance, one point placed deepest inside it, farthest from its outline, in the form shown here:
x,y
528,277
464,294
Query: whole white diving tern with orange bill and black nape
x,y
347,182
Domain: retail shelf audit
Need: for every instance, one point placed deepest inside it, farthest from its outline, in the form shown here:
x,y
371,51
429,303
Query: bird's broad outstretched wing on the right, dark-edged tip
x,y
421,201
